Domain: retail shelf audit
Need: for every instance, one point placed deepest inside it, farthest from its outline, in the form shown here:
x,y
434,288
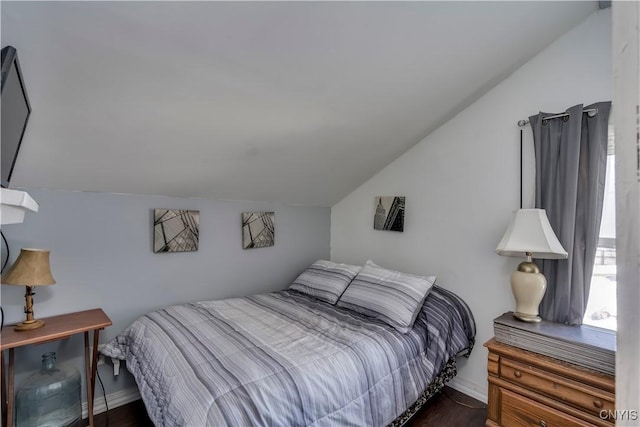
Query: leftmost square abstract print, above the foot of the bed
x,y
175,230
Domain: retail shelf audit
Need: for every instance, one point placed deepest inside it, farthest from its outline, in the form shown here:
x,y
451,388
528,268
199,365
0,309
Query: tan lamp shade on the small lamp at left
x,y
30,269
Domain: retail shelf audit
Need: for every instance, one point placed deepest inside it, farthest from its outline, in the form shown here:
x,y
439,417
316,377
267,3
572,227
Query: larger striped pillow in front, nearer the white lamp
x,y
391,296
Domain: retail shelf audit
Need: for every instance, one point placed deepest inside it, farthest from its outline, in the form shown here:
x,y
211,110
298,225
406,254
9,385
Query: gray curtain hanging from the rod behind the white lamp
x,y
571,159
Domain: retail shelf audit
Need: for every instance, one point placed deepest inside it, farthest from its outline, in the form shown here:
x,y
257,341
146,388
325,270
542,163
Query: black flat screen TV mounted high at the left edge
x,y
15,112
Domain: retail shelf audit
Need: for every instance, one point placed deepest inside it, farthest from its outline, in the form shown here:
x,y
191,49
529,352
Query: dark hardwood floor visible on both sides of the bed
x,y
449,408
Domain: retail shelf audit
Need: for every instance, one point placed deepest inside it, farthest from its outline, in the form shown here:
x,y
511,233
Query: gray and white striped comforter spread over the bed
x,y
285,359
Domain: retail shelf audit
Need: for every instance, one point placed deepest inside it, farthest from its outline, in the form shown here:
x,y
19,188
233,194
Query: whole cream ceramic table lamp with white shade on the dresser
x,y
529,234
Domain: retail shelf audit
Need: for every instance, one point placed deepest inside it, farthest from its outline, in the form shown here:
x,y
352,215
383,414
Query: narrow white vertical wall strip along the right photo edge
x,y
626,50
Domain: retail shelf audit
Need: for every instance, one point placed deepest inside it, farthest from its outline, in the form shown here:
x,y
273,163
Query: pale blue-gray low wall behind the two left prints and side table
x,y
102,256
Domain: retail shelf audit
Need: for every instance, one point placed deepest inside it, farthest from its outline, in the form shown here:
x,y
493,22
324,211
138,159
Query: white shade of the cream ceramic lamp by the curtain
x,y
530,233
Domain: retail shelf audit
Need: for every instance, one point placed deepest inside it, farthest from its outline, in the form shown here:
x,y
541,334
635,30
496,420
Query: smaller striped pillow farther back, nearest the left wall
x,y
325,280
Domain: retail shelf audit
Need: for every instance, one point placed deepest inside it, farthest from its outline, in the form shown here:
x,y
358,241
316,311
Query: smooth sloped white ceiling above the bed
x,y
292,102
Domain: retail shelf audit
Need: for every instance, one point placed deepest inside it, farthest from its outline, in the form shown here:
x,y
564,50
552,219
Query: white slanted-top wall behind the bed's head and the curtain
x,y
462,184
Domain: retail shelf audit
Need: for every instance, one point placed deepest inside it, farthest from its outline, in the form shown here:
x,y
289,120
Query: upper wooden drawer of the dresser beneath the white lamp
x,y
581,396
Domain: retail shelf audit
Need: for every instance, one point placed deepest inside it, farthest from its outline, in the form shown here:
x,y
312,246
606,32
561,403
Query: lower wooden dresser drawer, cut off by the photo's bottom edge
x,y
518,411
